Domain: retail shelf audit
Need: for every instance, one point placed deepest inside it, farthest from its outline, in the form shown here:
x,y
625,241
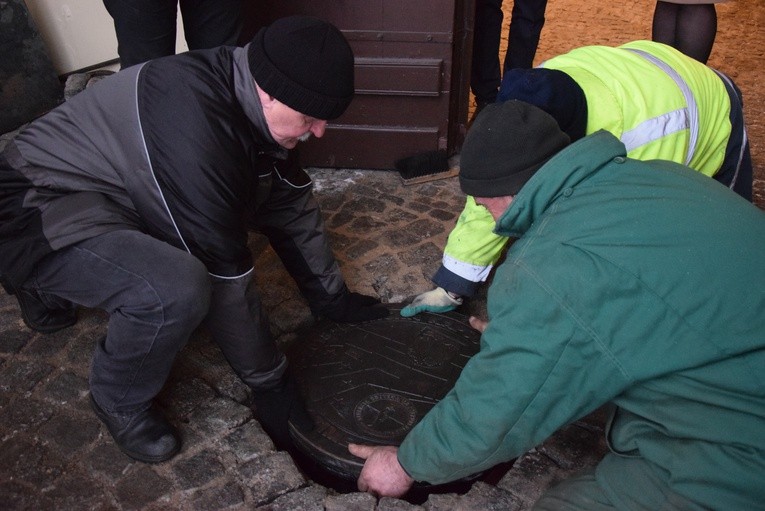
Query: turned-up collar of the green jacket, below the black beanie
x,y
558,177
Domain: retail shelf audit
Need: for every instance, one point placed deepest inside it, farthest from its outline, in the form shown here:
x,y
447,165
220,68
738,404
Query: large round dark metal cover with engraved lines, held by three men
x,y
371,382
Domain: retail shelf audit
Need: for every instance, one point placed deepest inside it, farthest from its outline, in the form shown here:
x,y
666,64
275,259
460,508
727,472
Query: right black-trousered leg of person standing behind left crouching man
x,y
211,23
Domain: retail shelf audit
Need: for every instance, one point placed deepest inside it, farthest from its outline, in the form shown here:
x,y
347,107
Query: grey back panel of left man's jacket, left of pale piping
x,y
89,174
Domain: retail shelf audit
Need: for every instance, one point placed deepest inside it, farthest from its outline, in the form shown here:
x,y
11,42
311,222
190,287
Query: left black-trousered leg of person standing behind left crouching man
x,y
146,29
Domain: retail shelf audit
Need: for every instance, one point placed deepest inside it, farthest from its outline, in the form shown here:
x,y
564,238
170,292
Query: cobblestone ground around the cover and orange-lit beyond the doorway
x,y
54,453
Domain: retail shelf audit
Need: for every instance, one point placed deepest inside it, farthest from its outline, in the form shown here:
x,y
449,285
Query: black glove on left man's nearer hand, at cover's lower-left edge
x,y
276,407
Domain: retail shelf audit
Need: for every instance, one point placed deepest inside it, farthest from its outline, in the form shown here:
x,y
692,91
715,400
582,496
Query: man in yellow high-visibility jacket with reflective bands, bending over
x,y
660,103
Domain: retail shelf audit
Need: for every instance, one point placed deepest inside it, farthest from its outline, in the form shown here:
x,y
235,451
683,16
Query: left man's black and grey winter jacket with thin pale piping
x,y
177,148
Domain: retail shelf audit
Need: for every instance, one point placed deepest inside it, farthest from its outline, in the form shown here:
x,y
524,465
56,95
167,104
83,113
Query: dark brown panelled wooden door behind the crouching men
x,y
411,77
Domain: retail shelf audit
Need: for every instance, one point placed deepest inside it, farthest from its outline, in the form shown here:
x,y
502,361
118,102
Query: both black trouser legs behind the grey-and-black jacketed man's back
x,y
146,29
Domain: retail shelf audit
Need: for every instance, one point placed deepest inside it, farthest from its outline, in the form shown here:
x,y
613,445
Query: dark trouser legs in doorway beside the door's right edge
x,y
528,18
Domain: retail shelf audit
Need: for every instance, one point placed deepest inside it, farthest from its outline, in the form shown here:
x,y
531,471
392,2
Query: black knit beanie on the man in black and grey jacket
x,y
305,63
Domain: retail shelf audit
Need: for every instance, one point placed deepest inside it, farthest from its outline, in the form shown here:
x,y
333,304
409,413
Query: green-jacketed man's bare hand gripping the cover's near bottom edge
x,y
382,474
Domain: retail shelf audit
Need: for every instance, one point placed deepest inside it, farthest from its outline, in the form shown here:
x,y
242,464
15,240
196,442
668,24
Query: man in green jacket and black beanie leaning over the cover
x,y
633,283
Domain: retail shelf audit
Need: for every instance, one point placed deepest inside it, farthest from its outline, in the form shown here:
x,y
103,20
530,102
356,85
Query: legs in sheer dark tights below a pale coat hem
x,y
690,28
